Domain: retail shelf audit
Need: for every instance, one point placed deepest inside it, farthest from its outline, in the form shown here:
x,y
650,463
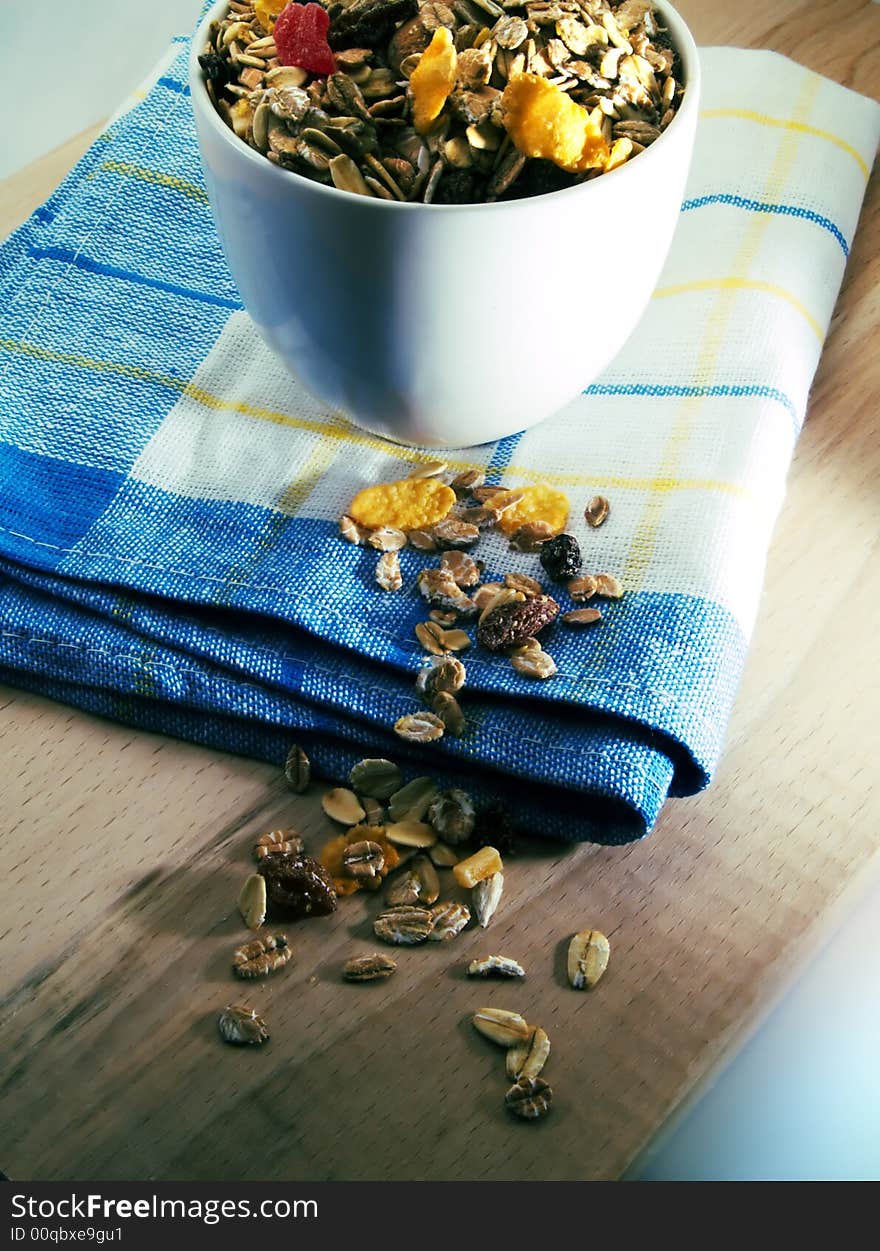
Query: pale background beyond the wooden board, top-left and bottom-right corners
x,y
802,1100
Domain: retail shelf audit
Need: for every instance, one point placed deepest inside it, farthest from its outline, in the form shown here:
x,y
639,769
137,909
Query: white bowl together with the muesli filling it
x,y
445,220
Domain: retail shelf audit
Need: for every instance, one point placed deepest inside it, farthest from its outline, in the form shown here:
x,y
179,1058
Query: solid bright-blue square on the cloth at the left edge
x,y
58,499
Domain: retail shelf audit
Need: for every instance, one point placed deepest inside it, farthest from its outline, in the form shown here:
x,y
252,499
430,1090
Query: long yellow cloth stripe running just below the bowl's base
x,y
337,428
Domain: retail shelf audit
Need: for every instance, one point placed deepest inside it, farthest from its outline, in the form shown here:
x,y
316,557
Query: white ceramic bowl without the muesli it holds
x,y
446,326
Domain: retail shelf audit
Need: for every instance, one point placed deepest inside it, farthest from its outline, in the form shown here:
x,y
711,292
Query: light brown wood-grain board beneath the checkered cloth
x,y
122,855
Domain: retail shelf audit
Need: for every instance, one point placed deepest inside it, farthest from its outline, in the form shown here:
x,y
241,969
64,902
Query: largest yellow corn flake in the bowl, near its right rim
x,y
544,122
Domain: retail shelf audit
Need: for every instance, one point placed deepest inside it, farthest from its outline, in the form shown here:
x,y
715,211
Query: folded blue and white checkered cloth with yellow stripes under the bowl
x,y
170,497
